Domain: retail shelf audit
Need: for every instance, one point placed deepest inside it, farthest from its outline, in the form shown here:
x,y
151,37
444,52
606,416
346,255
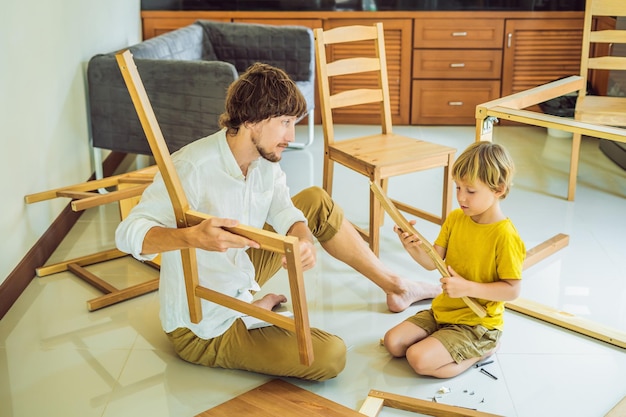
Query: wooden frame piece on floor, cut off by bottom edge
x,y
376,400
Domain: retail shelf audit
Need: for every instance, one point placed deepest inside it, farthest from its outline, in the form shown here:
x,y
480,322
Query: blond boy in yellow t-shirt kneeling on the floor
x,y
484,254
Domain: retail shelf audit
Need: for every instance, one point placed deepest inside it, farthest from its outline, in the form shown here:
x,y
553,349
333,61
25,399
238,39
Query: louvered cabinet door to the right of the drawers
x,y
538,51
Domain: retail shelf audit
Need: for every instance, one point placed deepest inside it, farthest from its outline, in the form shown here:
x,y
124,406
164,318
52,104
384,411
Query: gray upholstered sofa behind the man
x,y
186,73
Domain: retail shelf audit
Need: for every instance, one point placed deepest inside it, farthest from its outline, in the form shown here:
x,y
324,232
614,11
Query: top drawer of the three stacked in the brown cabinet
x,y
458,33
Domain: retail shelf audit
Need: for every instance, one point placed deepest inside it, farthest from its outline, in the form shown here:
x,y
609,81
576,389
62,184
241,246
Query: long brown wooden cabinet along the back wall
x,y
440,64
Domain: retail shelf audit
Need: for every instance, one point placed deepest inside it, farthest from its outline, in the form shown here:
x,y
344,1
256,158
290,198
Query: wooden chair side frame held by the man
x,y
287,245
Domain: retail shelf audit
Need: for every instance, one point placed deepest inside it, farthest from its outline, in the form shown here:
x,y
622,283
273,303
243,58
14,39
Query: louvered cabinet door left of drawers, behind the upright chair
x,y
398,50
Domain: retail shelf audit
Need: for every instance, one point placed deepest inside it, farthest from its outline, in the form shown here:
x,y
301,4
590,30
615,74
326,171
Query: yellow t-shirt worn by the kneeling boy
x,y
481,253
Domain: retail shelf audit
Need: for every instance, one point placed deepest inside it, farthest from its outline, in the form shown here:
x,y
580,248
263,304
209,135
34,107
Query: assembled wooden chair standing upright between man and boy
x,y
359,52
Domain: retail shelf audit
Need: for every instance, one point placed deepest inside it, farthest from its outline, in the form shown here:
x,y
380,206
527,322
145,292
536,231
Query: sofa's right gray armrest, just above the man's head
x,y
290,48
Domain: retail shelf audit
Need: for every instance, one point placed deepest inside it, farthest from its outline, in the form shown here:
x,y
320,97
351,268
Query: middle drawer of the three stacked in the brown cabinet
x,y
457,63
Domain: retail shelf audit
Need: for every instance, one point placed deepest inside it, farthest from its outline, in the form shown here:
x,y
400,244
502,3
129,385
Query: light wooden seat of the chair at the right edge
x,y
602,110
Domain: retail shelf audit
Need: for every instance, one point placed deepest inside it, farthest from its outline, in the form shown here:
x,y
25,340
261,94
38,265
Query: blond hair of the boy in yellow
x,y
488,162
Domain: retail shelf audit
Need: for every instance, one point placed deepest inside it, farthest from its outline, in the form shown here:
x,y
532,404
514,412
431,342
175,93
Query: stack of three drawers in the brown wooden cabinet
x,y
456,66
